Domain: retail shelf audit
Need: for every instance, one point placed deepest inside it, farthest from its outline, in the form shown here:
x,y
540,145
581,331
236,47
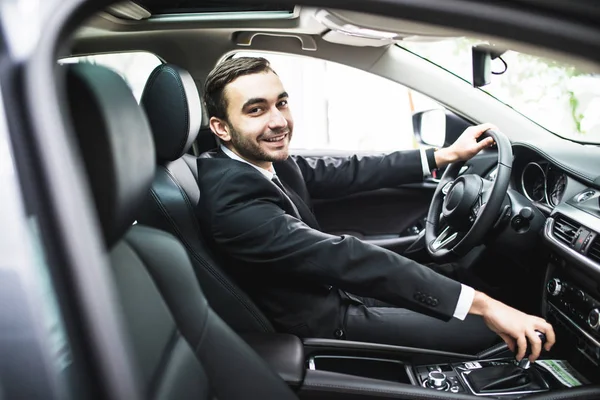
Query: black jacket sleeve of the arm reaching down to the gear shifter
x,y
248,224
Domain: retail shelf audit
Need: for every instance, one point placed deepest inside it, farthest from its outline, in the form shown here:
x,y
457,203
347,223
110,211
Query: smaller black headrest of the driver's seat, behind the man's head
x,y
173,107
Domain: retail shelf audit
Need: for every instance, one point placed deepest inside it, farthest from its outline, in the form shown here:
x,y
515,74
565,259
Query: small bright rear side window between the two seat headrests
x,y
135,67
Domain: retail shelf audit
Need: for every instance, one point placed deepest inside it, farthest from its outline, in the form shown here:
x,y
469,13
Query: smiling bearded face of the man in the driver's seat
x,y
260,122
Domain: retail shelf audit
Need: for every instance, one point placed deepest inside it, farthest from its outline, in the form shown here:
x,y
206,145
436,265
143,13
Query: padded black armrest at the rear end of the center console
x,y
283,353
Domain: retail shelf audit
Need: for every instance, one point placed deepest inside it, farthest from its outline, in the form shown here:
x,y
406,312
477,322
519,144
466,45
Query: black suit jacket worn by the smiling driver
x,y
274,250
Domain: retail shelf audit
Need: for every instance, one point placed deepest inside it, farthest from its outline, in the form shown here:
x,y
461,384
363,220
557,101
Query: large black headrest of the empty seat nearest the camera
x,y
115,142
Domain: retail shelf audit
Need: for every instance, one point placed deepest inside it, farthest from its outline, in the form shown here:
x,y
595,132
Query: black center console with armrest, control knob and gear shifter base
x,y
336,369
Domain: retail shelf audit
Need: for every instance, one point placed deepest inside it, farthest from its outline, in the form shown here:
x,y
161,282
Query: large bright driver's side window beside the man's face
x,y
336,107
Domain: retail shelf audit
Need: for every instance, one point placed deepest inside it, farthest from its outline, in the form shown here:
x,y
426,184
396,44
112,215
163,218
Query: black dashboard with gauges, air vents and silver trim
x,y
570,200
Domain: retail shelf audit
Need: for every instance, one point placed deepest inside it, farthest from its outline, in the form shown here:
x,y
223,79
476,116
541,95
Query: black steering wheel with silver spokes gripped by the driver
x,y
465,207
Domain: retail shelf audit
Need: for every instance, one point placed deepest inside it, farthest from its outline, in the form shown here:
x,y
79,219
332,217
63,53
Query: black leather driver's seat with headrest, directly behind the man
x,y
173,107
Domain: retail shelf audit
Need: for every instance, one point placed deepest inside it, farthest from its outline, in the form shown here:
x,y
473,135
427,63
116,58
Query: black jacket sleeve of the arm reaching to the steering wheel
x,y
328,177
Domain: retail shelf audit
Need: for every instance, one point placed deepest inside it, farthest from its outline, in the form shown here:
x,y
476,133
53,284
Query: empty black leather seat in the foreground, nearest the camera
x,y
182,348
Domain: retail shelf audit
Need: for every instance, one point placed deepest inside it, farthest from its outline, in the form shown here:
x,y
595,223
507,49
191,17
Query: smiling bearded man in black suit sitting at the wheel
x,y
255,208
